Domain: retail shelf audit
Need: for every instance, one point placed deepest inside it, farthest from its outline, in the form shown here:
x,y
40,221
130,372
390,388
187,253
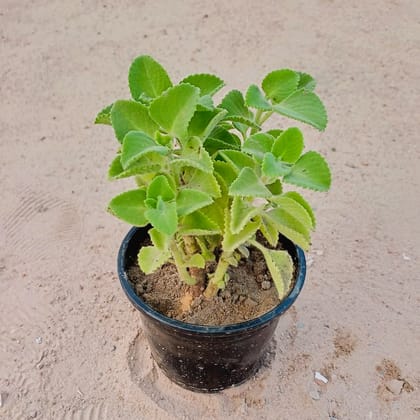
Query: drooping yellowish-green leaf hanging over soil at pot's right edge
x,y
281,267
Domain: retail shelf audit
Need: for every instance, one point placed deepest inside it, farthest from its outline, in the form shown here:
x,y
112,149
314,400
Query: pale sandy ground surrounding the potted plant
x,y
71,346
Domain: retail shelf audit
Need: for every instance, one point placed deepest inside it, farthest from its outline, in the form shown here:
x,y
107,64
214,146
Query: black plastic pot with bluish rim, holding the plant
x,y
205,358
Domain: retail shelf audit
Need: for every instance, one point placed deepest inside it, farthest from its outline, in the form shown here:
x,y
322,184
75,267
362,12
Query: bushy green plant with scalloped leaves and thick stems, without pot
x,y
208,178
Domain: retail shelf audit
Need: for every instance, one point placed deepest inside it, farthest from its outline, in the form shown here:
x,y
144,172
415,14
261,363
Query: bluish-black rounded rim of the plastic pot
x,y
140,305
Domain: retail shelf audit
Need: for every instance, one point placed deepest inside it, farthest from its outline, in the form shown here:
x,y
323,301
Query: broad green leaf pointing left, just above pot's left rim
x,y
129,206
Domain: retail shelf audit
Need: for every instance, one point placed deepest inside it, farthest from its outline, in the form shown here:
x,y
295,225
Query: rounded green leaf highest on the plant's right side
x,y
279,84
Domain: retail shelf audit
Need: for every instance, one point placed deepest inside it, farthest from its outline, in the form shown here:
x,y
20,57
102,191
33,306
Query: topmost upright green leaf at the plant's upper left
x,y
147,78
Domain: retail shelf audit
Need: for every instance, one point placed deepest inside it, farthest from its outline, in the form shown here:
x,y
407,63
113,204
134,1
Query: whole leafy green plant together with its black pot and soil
x,y
211,199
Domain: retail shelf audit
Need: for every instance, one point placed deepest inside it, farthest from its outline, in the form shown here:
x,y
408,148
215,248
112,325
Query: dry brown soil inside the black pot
x,y
249,293
